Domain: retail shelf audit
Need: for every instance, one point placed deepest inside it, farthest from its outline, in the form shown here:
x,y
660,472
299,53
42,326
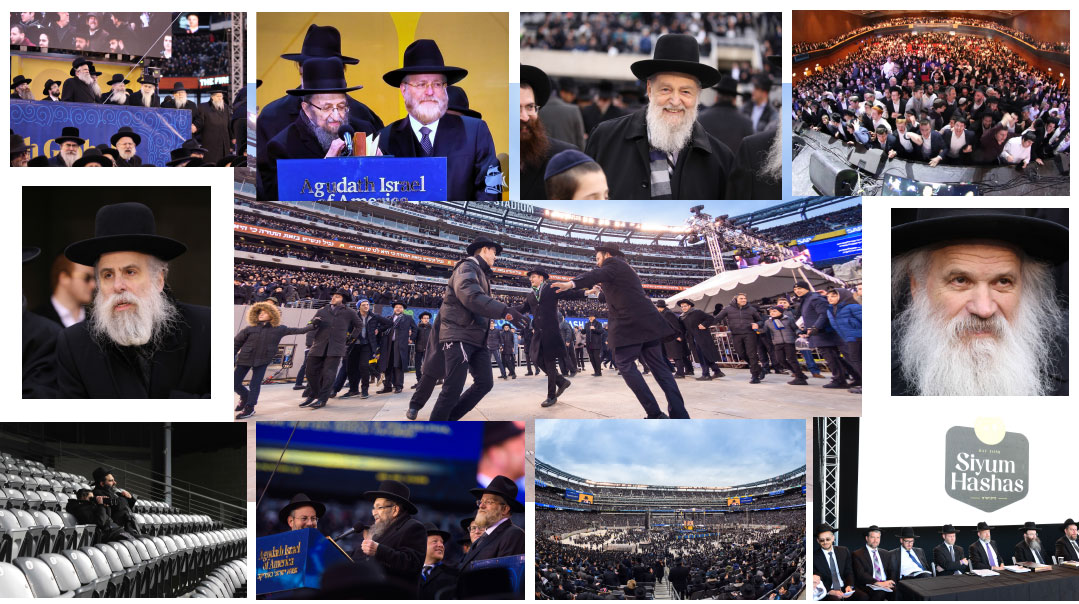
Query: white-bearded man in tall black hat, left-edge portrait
x,y
138,340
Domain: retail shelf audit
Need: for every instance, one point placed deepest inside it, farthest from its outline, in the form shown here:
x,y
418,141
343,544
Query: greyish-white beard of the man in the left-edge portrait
x,y
148,321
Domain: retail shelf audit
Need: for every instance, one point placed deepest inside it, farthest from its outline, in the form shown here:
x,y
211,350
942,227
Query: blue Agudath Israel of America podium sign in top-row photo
x,y
362,180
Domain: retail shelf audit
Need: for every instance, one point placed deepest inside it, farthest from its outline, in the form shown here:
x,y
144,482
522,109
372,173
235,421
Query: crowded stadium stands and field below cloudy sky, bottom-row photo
x,y
668,543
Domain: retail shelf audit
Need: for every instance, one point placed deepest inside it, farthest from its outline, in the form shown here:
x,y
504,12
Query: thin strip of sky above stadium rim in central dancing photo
x,y
675,213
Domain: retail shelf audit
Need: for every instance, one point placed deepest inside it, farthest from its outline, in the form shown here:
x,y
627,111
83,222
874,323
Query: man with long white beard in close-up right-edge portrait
x,y
976,306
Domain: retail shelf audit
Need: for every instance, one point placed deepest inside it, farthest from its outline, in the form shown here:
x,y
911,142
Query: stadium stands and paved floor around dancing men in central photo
x,y
302,253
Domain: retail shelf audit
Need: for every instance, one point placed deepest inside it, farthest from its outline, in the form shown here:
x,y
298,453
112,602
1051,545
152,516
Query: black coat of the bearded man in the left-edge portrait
x,y
179,369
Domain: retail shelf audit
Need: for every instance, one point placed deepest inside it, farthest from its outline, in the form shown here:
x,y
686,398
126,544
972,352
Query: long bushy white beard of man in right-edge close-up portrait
x,y
938,361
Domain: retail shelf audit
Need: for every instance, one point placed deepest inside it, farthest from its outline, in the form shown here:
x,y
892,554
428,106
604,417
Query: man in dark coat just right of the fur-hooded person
x,y
329,348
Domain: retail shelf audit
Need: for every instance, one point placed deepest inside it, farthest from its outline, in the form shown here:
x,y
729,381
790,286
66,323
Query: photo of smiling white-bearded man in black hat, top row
x,y
670,127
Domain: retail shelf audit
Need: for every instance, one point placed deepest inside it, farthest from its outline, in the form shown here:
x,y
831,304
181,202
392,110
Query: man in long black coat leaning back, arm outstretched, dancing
x,y
635,330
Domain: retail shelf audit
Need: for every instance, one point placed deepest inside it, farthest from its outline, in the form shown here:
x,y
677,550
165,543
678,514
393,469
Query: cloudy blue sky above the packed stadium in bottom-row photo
x,y
699,454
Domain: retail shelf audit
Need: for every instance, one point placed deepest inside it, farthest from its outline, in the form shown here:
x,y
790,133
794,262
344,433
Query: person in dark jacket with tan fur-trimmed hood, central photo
x,y
256,347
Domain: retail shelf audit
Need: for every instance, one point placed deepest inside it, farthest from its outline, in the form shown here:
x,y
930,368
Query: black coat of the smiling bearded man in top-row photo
x,y
622,148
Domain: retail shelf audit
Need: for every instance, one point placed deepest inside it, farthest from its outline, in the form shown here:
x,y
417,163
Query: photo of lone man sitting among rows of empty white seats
x,y
175,541
